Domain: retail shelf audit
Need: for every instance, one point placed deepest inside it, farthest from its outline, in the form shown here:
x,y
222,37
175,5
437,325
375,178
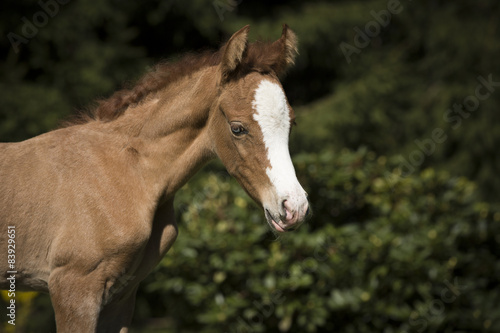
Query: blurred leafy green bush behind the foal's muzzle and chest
x,y
382,253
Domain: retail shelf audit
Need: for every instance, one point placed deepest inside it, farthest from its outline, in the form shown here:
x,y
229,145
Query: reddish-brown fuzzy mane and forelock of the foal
x,y
260,57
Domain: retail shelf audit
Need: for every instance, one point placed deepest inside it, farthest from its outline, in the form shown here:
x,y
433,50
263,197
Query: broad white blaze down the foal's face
x,y
273,116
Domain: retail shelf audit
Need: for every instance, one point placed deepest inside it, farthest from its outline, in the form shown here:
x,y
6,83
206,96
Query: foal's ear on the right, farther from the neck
x,y
287,47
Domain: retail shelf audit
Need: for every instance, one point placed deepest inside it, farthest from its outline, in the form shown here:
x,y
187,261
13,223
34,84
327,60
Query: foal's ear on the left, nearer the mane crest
x,y
233,52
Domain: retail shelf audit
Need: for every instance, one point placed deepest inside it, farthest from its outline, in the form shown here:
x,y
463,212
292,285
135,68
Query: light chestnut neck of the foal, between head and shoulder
x,y
169,131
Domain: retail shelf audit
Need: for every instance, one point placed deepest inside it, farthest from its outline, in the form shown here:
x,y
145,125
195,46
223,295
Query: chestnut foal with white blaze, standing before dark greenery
x,y
92,203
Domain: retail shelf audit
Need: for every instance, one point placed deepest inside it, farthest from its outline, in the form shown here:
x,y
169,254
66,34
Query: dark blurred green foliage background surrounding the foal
x,y
396,143
